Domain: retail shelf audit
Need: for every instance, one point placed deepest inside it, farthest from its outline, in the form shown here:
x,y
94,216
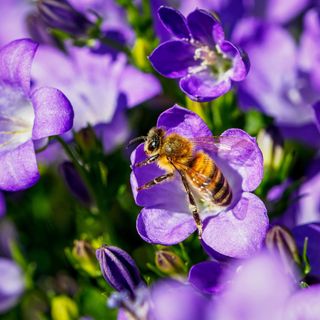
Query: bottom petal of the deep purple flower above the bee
x,y
204,86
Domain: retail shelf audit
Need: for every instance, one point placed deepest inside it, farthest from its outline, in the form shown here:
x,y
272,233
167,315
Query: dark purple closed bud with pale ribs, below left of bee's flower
x,y
118,269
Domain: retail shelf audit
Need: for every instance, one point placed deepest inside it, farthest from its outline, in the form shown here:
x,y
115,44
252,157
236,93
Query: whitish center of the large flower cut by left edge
x,y
16,118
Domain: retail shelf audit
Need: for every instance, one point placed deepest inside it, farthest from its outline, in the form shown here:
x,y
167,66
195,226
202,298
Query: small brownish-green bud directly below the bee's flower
x,y
168,262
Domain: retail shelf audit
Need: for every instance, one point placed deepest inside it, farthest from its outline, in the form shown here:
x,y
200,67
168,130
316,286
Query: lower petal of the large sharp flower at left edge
x,y
18,168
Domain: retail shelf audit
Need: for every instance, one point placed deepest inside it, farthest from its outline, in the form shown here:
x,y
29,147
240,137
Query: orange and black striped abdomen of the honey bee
x,y
206,176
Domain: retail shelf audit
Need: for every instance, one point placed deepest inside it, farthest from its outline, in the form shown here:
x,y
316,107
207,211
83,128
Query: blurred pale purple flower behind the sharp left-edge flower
x,y
99,87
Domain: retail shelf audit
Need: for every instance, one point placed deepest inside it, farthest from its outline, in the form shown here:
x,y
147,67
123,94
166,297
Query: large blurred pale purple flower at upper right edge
x,y
288,93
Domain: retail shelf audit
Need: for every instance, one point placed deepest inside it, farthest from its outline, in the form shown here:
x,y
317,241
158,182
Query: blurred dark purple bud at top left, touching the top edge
x,y
59,14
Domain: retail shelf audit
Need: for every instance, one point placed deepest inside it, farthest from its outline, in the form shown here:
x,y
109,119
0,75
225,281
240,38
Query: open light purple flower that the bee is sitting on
x,y
237,230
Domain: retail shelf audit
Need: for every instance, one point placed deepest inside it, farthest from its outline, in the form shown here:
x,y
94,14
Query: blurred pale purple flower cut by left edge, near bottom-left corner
x,y
11,284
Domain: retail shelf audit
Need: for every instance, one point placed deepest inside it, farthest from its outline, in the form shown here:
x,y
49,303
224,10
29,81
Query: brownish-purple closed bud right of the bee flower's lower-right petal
x,y
280,241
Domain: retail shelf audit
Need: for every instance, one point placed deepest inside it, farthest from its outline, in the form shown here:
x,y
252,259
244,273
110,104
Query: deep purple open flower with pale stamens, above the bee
x,y
206,62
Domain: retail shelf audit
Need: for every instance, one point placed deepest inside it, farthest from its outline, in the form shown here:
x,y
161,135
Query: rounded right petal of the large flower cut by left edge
x,y
53,113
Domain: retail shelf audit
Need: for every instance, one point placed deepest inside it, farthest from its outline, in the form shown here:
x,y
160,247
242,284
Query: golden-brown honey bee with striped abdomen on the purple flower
x,y
201,177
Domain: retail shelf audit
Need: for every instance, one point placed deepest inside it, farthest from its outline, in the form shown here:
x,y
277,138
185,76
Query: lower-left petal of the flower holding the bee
x,y
164,227
